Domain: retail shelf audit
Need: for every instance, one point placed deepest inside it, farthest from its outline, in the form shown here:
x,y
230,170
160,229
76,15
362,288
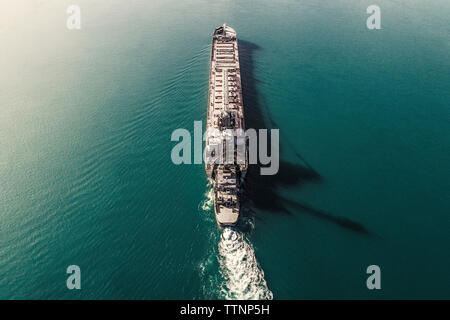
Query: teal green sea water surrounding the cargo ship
x,y
86,176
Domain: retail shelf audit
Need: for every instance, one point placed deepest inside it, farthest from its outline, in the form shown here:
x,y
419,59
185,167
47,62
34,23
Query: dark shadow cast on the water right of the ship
x,y
261,190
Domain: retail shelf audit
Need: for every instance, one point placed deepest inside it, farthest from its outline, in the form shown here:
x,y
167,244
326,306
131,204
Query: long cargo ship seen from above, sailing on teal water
x,y
227,163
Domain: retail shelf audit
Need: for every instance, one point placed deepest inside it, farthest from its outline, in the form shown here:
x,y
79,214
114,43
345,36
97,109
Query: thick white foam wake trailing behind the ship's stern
x,y
243,277
